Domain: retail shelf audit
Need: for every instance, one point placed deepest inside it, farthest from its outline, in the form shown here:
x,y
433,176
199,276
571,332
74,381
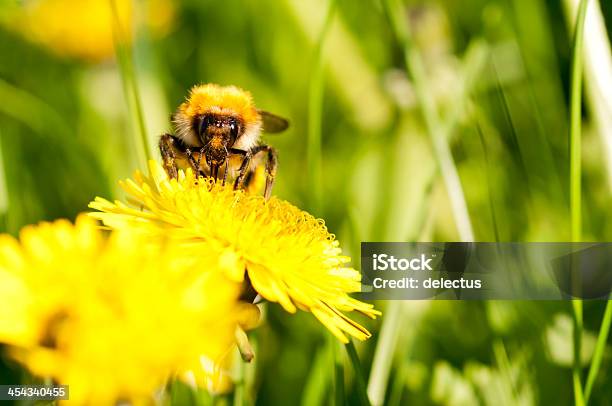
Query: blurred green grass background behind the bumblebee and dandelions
x,y
358,154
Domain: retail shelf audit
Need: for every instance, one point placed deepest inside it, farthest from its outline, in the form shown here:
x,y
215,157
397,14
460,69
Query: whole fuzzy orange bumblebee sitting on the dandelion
x,y
217,133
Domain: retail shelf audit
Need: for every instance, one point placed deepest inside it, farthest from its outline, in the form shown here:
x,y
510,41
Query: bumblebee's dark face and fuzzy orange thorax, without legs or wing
x,y
216,116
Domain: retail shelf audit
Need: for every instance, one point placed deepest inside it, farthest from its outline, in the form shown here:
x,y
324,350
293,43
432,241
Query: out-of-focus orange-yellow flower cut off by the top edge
x,y
84,28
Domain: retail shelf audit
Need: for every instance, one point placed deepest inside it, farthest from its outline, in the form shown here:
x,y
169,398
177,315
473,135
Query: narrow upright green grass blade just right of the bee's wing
x,y
315,112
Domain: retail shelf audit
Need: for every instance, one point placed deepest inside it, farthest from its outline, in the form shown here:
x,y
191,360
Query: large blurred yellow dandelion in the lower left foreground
x,y
113,317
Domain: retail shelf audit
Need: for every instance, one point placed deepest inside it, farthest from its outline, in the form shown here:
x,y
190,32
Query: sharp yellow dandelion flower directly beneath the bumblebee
x,y
288,255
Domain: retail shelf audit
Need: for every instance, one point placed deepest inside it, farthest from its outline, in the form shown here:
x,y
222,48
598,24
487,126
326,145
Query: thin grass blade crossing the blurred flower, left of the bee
x,y
130,83
